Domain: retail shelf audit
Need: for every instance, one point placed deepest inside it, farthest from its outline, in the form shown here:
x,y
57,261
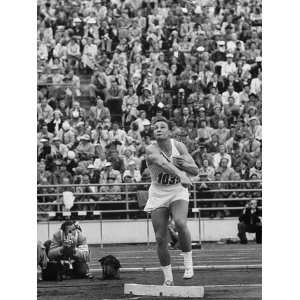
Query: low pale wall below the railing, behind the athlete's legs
x,y
135,231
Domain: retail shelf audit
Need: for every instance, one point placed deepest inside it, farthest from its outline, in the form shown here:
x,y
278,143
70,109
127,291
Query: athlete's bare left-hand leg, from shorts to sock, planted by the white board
x,y
160,220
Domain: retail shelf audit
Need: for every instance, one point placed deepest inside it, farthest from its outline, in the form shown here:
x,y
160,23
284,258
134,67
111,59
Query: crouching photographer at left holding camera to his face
x,y
69,243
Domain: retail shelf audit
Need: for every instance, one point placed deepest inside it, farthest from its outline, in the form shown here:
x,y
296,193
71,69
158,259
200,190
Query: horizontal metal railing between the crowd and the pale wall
x,y
210,198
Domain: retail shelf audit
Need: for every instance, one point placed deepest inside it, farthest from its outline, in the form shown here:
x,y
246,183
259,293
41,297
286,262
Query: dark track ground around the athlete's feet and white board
x,y
219,284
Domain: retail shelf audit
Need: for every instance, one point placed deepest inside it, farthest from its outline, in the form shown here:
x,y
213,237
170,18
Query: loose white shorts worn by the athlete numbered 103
x,y
164,195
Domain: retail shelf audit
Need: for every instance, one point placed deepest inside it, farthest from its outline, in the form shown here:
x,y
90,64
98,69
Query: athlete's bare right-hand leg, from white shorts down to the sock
x,y
179,210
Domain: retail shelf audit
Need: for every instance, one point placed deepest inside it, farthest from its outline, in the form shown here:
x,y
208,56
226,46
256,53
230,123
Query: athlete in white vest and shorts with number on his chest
x,y
170,165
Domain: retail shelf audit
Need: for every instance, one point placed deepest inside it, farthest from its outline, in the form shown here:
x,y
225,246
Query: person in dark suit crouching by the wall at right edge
x,y
250,222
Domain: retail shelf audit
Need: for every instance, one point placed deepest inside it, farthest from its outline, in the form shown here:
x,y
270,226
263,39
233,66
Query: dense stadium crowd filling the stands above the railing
x,y
107,68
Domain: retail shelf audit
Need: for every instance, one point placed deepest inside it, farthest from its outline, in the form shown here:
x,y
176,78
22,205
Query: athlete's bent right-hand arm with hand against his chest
x,y
185,162
